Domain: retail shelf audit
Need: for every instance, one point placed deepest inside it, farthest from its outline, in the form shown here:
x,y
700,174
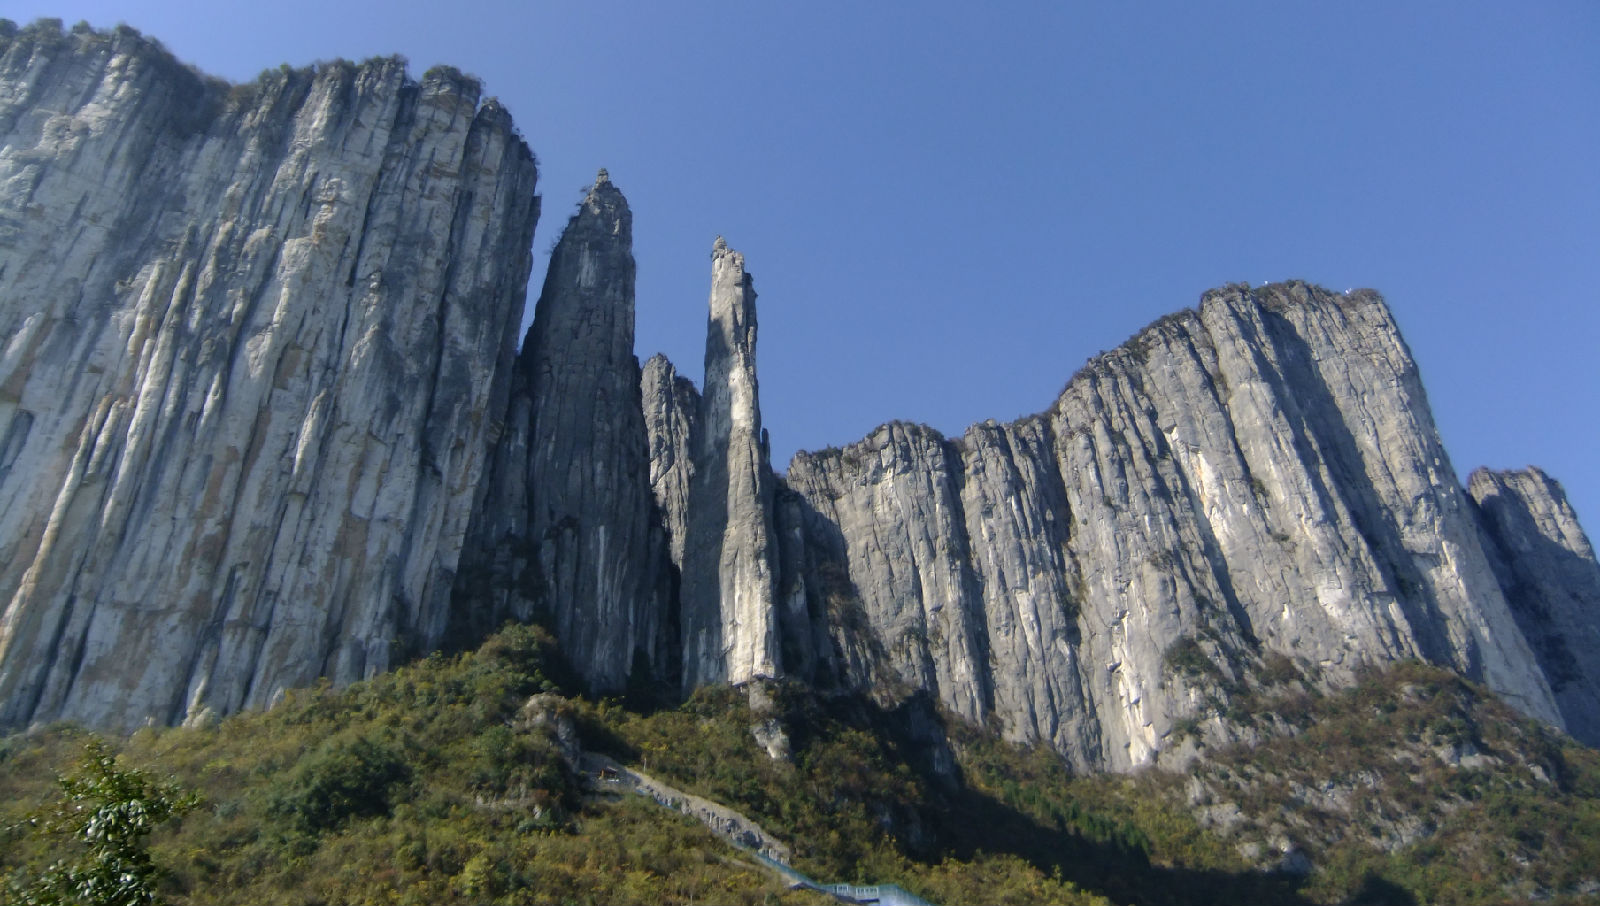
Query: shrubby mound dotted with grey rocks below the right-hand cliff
x,y
1412,787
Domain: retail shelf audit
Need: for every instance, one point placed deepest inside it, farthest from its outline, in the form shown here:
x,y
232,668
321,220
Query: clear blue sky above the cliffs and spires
x,y
948,207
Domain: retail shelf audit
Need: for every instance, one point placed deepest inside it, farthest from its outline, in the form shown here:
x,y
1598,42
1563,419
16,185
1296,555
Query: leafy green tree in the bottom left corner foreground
x,y
108,814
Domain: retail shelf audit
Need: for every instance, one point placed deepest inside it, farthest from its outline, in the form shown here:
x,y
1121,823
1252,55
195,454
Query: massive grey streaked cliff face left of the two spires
x,y
257,340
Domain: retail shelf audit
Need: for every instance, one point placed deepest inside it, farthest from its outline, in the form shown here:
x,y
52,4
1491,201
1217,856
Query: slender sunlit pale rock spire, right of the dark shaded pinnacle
x,y
729,595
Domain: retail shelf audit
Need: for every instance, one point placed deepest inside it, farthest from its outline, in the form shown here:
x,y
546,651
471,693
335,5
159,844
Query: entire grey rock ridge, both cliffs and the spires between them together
x,y
284,435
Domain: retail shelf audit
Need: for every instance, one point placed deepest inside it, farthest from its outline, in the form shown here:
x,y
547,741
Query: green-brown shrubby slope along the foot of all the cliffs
x,y
450,782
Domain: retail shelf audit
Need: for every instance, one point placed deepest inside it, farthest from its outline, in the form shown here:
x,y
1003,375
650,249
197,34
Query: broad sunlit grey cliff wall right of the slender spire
x,y
1258,476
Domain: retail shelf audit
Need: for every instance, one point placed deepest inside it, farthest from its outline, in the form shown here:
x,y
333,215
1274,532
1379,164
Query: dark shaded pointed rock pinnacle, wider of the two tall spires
x,y
567,516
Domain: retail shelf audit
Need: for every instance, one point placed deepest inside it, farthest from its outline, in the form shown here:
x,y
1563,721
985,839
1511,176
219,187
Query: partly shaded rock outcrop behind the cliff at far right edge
x,y
1553,582
